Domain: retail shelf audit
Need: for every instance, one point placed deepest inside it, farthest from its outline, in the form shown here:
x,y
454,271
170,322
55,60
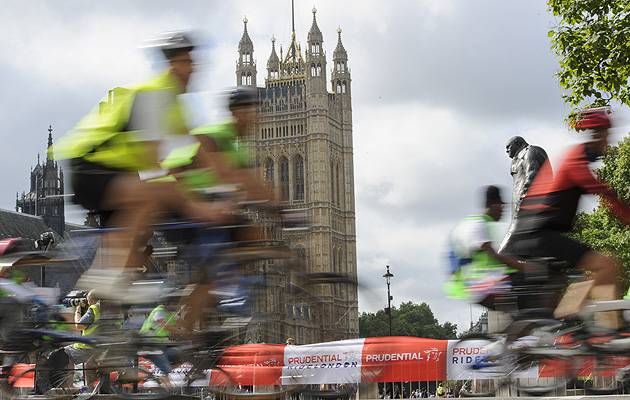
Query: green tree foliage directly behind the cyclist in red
x,y
600,229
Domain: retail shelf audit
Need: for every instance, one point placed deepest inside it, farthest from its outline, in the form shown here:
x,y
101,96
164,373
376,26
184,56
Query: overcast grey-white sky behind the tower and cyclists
x,y
438,86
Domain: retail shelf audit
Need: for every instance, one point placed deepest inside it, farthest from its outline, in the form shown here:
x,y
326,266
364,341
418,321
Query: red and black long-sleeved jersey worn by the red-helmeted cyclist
x,y
554,198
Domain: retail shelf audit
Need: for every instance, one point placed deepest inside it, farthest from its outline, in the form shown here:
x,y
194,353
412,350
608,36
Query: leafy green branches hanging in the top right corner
x,y
592,42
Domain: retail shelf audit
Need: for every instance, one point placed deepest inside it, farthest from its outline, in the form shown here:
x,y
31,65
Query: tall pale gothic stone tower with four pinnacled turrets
x,y
303,147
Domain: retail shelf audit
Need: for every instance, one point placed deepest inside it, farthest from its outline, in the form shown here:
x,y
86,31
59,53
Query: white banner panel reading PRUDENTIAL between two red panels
x,y
331,362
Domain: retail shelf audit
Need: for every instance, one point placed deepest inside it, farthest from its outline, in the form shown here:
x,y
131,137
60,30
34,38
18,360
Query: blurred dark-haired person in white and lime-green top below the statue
x,y
478,271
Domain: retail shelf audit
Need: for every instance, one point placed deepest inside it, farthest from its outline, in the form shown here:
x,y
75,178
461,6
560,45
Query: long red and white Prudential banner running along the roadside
x,y
381,359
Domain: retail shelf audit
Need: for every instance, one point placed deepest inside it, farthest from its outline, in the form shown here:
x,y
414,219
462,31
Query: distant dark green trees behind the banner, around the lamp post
x,y
410,319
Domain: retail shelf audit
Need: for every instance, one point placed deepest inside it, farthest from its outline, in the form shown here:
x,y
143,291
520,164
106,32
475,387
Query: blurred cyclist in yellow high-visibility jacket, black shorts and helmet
x,y
121,138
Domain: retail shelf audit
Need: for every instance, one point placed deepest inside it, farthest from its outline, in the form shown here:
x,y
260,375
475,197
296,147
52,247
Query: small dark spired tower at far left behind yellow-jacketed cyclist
x,y
45,197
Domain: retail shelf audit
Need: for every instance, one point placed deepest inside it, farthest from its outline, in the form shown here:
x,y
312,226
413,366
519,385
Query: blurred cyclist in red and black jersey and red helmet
x,y
549,209
